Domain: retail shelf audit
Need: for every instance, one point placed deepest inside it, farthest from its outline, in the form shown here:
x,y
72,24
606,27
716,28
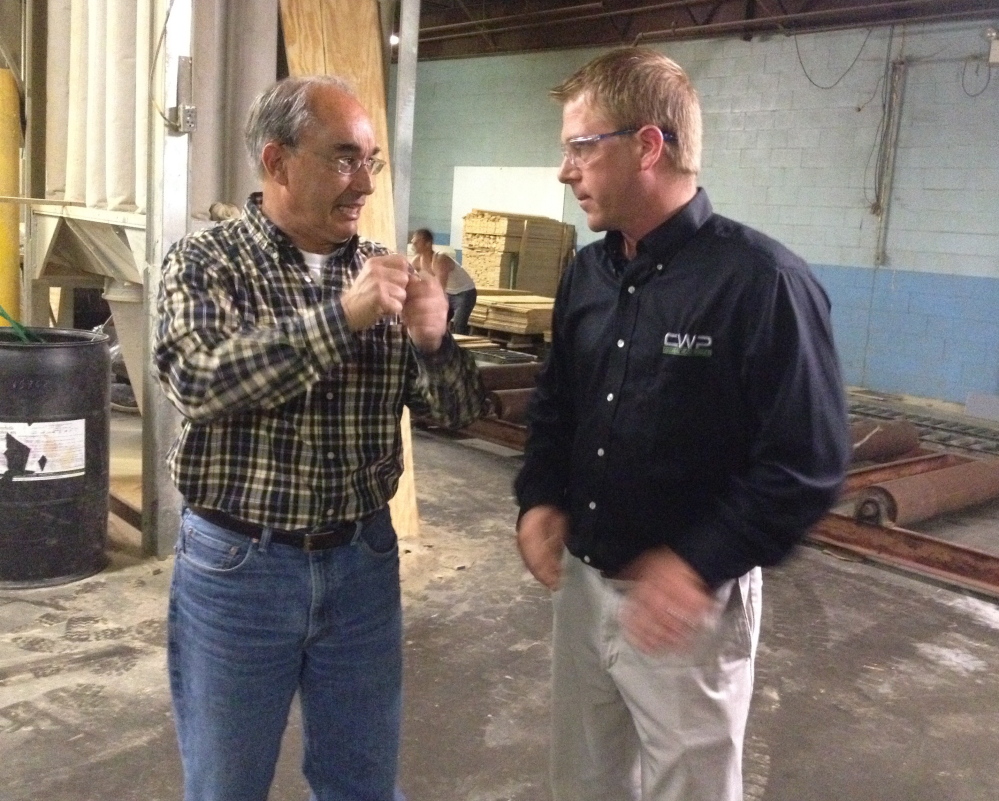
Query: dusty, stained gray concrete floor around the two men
x,y
871,685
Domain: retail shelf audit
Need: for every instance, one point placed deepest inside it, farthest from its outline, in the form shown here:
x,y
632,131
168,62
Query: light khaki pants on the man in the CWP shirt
x,y
630,726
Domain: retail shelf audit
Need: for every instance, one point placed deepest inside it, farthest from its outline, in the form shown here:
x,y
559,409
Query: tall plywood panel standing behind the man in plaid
x,y
343,37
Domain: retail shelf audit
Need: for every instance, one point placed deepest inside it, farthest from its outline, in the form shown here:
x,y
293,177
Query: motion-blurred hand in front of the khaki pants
x,y
668,604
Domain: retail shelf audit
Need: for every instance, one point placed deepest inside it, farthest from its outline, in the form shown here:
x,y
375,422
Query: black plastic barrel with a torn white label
x,y
54,466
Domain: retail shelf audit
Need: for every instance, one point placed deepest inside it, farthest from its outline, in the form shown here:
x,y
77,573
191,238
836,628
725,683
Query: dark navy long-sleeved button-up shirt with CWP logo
x,y
692,398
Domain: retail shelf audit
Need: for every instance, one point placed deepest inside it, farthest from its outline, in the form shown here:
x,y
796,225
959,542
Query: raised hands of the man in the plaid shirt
x,y
388,286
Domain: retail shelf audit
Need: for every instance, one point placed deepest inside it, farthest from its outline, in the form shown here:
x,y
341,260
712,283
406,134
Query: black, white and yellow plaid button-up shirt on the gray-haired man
x,y
290,419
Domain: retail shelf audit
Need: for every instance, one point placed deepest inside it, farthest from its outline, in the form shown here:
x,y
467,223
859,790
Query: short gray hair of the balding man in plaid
x,y
283,112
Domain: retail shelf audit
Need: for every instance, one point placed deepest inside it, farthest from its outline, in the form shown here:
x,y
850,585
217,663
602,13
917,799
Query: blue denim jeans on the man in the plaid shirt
x,y
252,622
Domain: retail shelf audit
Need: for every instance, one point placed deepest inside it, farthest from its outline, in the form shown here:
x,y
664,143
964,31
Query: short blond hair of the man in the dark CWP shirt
x,y
636,86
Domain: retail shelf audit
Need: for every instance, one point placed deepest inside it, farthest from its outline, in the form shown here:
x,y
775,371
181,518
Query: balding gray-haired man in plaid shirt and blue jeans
x,y
277,344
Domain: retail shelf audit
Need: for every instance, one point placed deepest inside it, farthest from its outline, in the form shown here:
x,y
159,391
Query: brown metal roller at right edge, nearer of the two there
x,y
905,501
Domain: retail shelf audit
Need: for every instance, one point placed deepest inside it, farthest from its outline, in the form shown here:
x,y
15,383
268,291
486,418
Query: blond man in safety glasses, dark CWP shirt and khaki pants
x,y
689,426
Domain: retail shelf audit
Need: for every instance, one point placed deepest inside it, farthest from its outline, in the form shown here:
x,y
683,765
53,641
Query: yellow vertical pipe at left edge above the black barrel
x,y
10,143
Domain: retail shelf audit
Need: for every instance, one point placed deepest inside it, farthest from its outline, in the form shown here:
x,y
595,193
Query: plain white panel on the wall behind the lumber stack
x,y
515,190
